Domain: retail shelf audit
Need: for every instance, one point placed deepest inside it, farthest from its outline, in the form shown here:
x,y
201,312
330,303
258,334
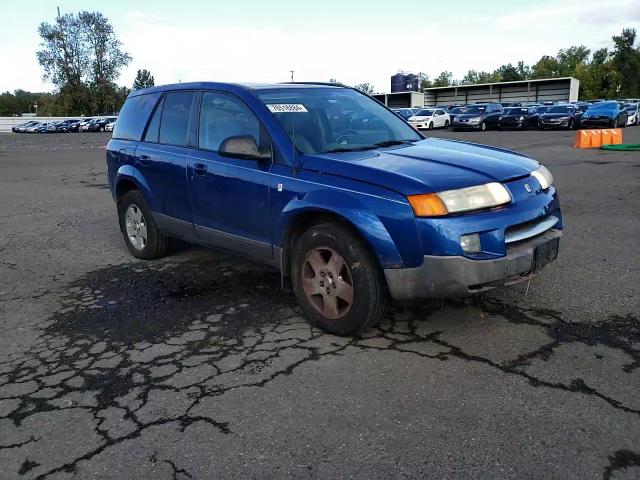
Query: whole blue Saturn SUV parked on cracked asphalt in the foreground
x,y
331,188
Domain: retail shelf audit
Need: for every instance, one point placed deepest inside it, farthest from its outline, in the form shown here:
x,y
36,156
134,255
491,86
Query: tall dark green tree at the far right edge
x,y
626,61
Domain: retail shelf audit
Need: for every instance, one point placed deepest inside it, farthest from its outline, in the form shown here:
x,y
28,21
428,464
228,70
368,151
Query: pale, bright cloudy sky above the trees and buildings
x,y
351,41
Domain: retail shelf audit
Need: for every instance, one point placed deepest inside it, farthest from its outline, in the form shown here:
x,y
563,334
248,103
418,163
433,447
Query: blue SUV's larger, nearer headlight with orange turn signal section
x,y
461,200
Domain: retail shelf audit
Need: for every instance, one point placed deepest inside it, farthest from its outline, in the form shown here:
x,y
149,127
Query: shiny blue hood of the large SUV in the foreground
x,y
430,165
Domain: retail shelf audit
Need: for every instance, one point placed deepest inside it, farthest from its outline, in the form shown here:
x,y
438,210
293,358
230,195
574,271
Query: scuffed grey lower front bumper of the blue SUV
x,y
457,276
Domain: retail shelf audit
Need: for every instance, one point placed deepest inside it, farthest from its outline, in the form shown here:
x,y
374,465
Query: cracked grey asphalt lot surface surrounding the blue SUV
x,y
201,366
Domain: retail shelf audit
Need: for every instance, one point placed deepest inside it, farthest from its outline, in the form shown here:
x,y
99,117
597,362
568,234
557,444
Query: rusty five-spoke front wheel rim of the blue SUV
x,y
327,282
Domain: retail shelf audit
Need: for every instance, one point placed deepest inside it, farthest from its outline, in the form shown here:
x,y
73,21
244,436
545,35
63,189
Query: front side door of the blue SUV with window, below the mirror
x,y
230,196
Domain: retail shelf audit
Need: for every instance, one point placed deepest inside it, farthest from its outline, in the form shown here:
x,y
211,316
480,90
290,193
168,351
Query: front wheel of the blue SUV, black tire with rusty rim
x,y
315,256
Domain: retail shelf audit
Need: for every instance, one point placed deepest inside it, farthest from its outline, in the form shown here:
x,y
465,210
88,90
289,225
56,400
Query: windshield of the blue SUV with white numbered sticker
x,y
322,120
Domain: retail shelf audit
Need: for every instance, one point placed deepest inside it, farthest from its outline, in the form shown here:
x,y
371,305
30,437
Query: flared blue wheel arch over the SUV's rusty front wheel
x,y
351,209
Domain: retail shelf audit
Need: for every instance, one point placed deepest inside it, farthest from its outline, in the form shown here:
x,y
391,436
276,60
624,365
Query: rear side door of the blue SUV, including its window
x,y
161,158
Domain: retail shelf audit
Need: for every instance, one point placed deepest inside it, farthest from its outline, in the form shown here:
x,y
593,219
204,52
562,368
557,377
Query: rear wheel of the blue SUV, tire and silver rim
x,y
155,244
